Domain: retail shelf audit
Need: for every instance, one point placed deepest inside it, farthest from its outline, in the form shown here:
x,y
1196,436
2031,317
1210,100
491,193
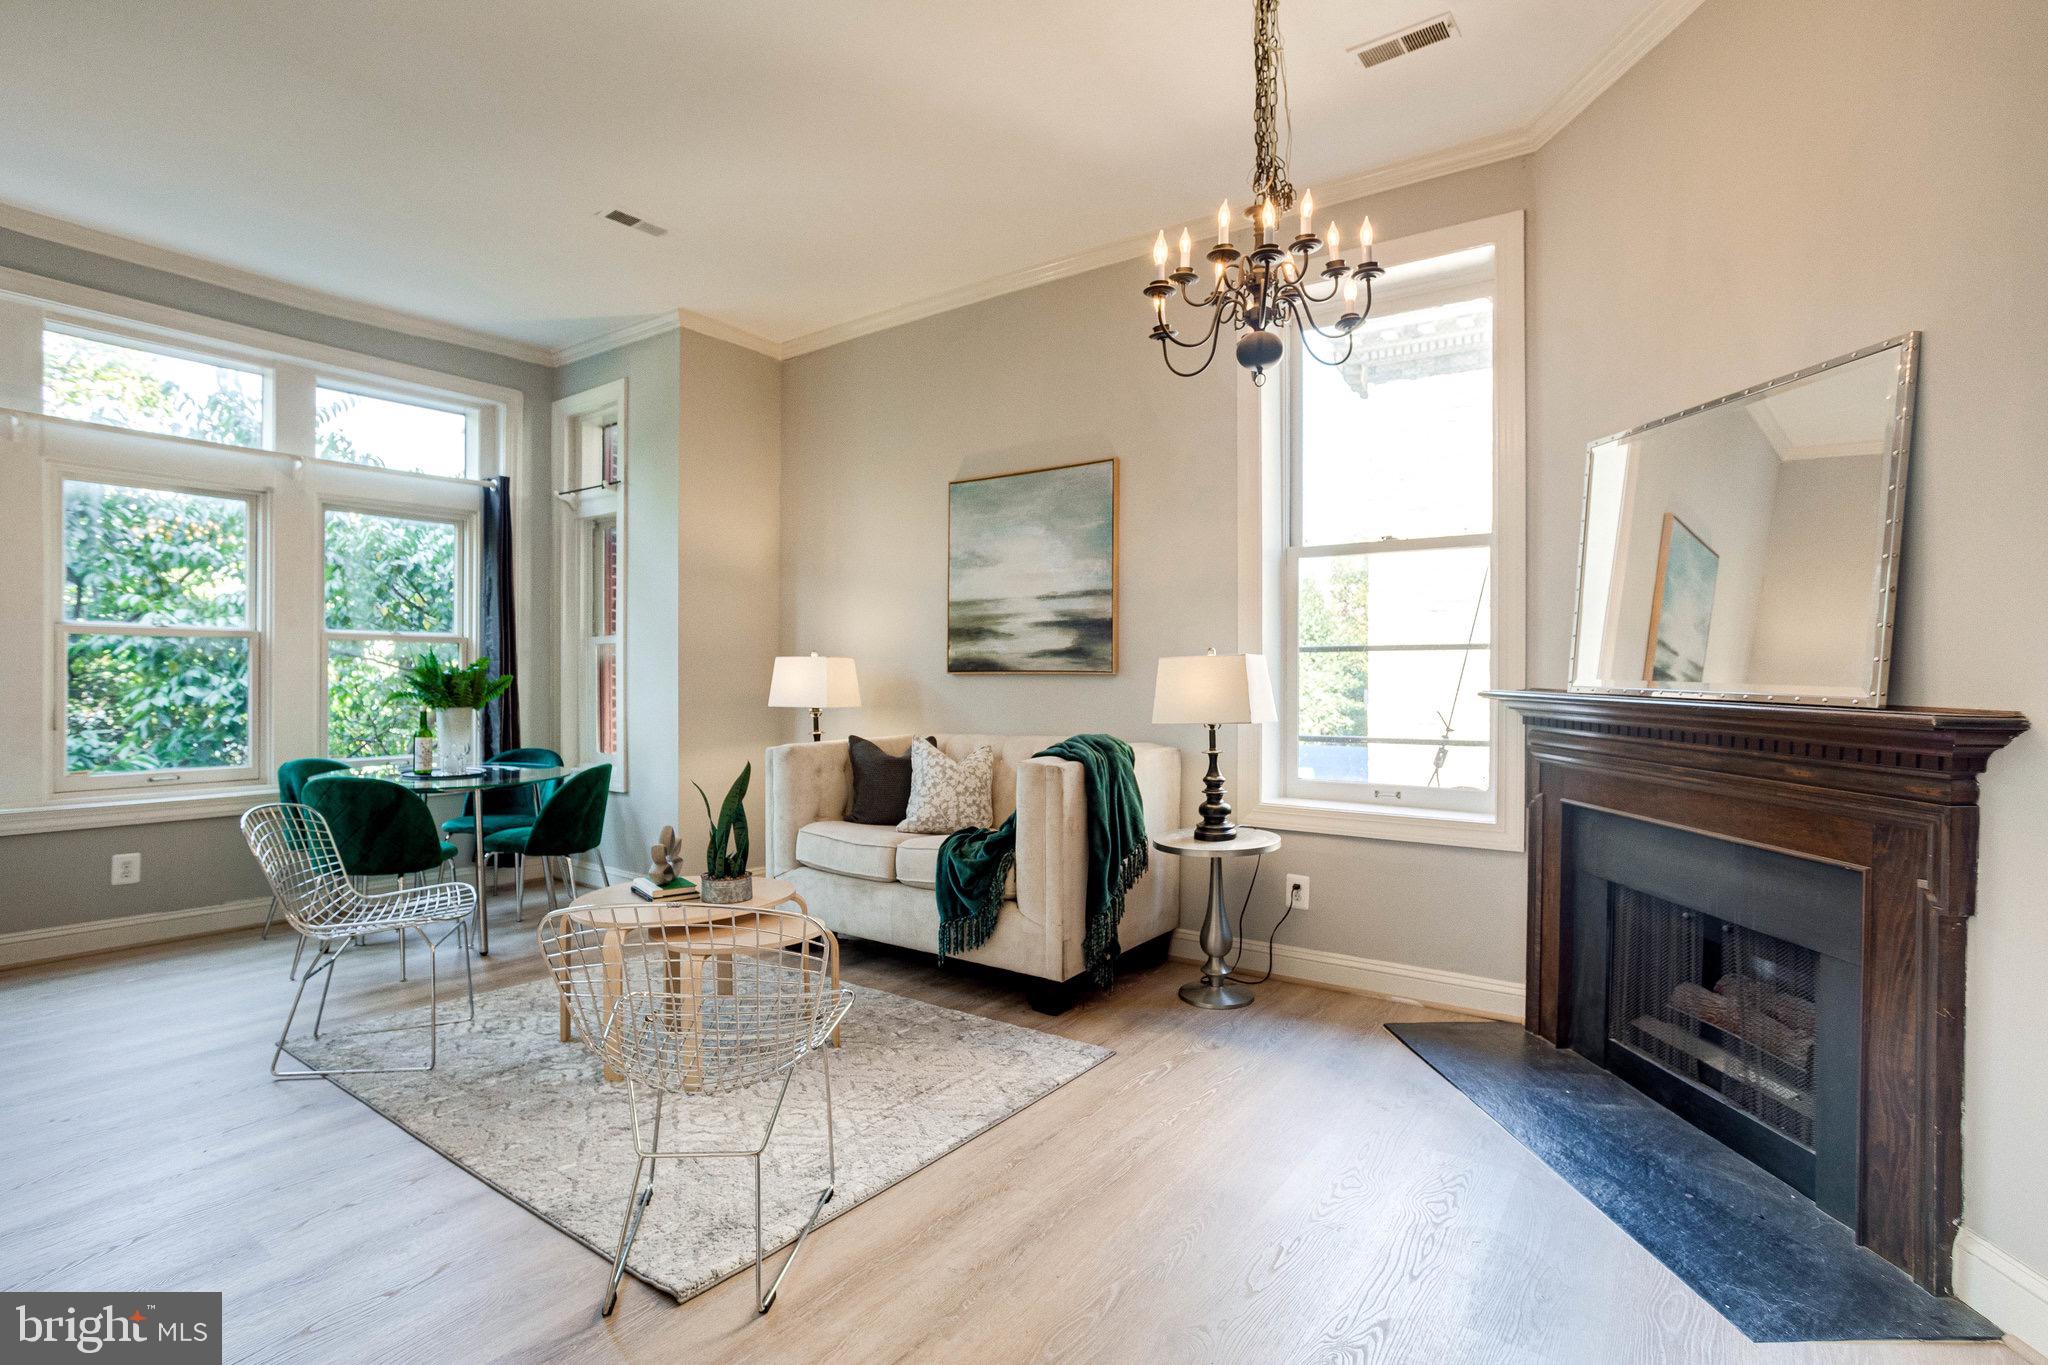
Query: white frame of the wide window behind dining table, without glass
x,y
292,488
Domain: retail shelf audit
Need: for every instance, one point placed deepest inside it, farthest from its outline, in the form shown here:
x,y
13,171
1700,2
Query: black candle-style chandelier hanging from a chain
x,y
1269,288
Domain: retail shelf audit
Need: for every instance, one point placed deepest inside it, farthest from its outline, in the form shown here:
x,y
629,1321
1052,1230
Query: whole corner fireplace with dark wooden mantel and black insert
x,y
1756,916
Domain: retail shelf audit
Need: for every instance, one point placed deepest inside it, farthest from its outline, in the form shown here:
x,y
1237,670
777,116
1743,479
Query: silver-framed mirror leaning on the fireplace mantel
x,y
1748,549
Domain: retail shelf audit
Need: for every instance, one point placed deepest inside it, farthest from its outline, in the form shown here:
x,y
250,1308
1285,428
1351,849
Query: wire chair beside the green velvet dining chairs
x,y
306,873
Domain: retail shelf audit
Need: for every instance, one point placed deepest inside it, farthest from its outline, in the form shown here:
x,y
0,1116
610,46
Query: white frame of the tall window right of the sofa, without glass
x,y
1269,578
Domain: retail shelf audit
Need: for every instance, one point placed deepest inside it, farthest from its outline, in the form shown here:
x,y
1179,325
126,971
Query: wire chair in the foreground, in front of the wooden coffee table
x,y
699,1002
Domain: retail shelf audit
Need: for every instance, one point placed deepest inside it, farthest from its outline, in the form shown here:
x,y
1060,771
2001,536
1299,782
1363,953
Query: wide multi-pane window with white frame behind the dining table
x,y
245,543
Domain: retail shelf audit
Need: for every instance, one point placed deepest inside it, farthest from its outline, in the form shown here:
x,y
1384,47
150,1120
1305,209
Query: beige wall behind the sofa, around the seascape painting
x,y
876,429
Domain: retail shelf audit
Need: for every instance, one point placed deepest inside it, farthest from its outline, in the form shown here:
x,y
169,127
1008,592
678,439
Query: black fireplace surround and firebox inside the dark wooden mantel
x,y
1725,983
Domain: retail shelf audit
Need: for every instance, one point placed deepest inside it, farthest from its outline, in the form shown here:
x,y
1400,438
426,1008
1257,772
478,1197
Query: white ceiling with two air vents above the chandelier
x,y
816,163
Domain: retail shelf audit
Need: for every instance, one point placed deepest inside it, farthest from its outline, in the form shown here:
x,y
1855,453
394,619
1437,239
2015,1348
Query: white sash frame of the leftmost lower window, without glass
x,y
253,629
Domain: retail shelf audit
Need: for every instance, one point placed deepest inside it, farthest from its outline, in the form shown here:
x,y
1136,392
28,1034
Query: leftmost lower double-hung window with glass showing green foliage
x,y
157,635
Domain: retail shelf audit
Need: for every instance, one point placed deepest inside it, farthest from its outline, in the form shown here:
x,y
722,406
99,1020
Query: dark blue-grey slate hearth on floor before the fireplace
x,y
1764,1256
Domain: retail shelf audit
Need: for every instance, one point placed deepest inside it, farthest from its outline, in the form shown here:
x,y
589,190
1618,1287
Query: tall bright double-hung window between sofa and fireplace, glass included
x,y
1394,578
